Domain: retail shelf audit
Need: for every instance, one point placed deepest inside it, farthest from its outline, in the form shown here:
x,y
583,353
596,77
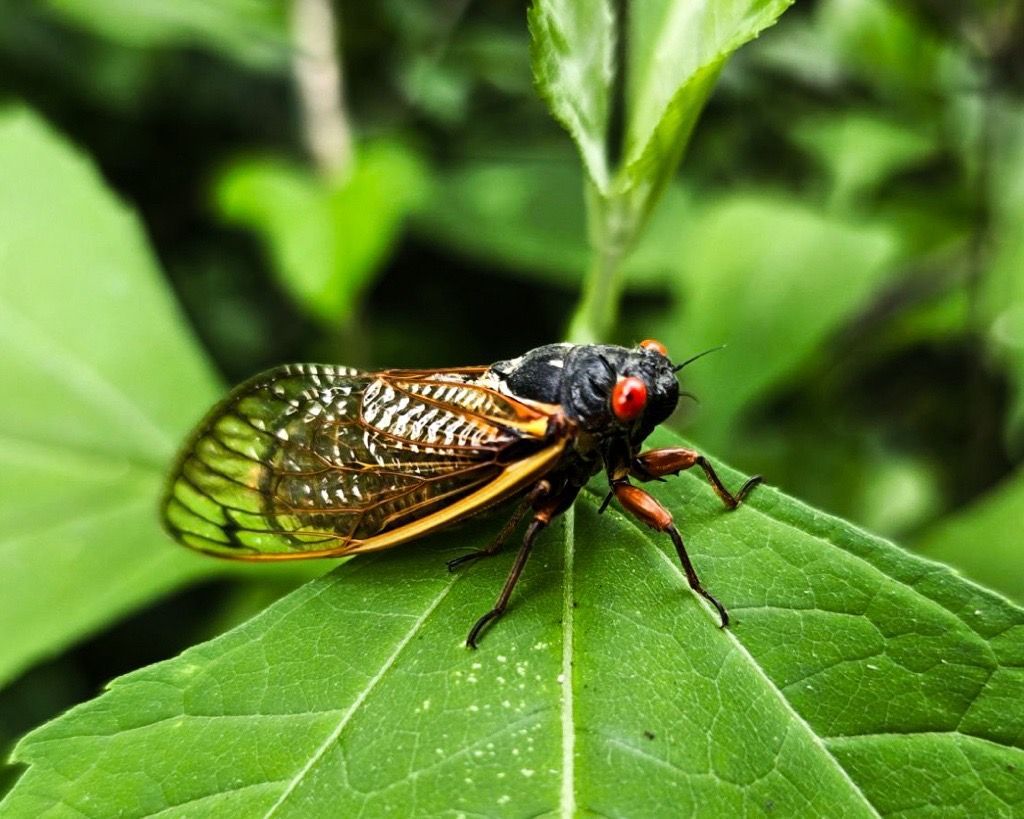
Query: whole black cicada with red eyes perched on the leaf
x,y
310,461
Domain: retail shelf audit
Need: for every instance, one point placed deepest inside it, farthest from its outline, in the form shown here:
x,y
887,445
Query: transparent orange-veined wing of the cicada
x,y
311,461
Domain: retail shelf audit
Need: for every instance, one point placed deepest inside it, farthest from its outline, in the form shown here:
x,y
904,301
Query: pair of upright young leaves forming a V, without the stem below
x,y
674,52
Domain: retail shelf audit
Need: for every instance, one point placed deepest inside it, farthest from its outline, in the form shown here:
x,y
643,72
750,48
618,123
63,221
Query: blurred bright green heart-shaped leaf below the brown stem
x,y
328,239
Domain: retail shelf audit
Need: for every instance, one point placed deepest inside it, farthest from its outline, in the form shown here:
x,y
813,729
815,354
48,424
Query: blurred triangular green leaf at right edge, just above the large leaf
x,y
984,540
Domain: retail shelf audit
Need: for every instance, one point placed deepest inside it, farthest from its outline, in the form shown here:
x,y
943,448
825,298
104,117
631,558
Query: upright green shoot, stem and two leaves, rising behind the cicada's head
x,y
674,51
